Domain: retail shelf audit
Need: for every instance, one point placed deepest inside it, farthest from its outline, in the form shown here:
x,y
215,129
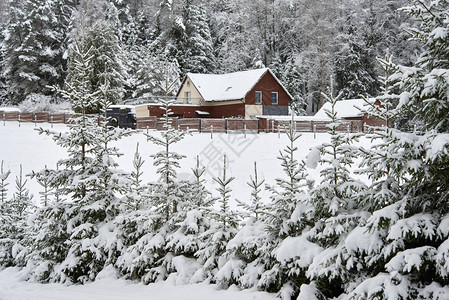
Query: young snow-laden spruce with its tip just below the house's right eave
x,y
277,267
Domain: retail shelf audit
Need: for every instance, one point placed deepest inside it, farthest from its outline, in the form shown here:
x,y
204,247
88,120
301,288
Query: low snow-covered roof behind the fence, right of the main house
x,y
344,108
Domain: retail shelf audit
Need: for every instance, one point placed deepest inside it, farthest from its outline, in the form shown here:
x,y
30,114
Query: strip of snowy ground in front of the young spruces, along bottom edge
x,y
109,288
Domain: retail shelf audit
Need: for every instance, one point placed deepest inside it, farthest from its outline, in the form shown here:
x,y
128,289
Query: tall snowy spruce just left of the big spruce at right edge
x,y
386,170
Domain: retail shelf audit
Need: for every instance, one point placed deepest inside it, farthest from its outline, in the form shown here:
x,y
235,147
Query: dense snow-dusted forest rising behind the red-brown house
x,y
305,43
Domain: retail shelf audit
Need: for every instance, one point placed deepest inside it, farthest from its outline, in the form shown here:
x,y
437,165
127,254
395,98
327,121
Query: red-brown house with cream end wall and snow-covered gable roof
x,y
243,94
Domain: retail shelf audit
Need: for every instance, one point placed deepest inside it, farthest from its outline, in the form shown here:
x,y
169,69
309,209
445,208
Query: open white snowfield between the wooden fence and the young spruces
x,y
24,146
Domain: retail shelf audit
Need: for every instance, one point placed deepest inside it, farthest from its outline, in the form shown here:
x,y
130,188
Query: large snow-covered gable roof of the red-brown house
x,y
230,86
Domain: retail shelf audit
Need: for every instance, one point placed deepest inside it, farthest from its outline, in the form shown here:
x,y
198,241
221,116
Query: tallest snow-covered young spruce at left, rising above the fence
x,y
89,182
